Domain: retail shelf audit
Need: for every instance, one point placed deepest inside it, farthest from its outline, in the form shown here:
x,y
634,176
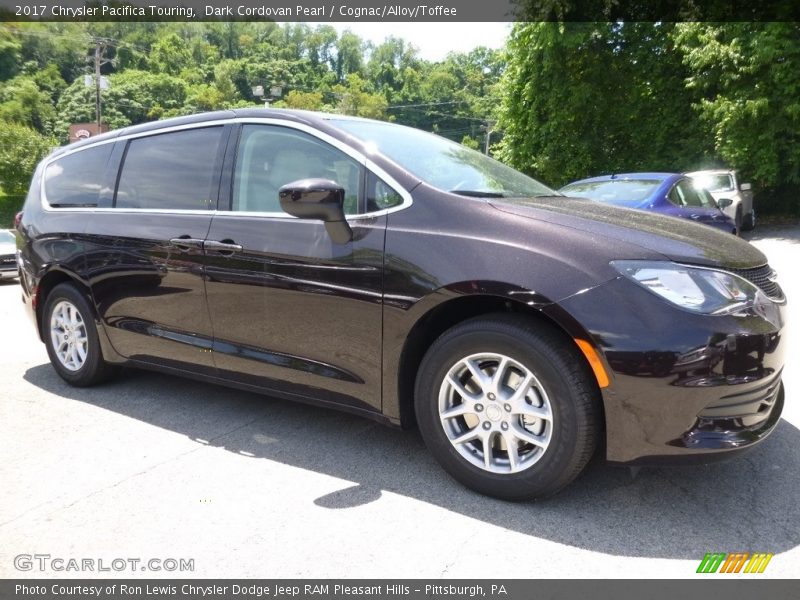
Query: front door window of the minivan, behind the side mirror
x,y
270,156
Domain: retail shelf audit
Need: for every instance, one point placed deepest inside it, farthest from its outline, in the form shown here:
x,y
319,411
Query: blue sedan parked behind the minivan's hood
x,y
670,194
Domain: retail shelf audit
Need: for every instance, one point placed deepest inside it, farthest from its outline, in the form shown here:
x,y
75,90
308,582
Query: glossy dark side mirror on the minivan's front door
x,y
318,199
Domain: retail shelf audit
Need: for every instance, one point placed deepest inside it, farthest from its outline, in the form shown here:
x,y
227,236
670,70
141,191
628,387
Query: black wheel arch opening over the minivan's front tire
x,y
449,313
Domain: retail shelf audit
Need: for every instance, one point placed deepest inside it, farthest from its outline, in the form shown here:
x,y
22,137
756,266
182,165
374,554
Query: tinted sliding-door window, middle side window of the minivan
x,y
170,171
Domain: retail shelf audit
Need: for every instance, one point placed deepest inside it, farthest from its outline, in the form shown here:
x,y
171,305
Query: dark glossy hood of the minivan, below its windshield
x,y
679,240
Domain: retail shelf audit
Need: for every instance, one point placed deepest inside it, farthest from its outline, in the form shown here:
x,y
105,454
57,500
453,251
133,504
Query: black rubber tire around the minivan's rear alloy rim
x,y
94,369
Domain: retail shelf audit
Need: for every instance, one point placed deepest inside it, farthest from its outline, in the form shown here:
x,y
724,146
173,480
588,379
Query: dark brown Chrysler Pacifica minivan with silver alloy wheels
x,y
397,275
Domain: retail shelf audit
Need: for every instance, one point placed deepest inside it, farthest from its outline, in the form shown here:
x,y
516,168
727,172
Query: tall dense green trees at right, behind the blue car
x,y
583,99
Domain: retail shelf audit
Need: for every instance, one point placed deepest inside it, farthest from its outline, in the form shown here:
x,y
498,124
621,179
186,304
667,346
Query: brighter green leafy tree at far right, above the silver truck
x,y
748,79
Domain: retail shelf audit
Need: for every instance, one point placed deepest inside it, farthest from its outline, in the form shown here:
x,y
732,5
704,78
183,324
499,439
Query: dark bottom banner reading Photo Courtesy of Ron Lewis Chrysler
x,y
411,589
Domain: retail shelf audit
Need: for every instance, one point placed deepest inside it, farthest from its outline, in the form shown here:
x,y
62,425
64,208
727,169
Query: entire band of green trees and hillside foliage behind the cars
x,y
563,101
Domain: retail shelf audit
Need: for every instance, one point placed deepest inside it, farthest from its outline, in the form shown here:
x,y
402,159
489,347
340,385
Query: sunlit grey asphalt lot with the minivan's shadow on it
x,y
153,466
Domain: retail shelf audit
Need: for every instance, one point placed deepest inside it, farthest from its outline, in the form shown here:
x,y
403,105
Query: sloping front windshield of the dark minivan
x,y
442,163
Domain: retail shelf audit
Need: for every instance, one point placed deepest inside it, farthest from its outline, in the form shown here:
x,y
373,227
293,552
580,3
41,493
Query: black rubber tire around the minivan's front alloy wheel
x,y
562,371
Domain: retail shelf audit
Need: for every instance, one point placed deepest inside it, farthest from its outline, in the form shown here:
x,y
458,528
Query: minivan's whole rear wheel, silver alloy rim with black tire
x,y
70,336
